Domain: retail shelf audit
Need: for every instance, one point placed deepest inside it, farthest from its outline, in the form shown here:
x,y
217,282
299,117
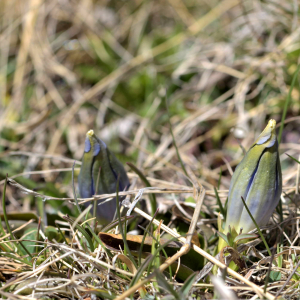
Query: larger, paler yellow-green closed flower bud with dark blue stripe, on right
x,y
258,180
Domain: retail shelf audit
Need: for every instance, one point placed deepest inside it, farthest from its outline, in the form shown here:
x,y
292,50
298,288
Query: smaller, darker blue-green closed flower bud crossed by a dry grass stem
x,y
97,158
